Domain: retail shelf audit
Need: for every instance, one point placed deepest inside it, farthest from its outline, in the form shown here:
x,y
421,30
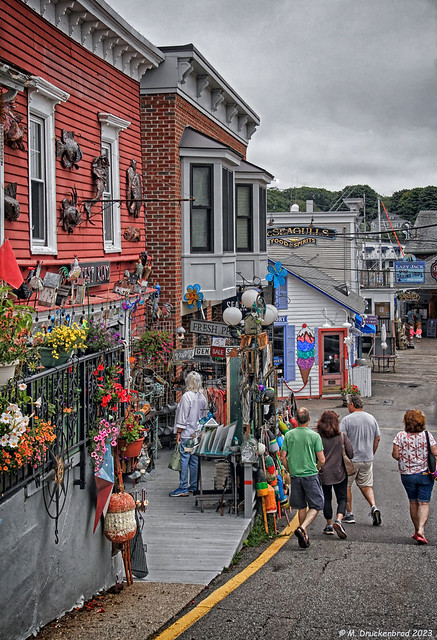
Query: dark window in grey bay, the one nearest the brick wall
x,y
201,227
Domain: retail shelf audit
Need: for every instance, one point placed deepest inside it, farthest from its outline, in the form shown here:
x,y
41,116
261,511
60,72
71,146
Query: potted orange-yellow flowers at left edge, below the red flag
x,y
15,325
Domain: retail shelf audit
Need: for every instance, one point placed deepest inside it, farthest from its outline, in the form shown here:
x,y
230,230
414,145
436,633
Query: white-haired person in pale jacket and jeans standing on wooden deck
x,y
191,408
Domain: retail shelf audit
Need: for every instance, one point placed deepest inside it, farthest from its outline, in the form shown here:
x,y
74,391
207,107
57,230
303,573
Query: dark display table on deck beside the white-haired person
x,y
219,493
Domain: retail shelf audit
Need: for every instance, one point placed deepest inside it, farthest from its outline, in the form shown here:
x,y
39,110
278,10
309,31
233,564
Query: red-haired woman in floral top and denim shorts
x,y
410,449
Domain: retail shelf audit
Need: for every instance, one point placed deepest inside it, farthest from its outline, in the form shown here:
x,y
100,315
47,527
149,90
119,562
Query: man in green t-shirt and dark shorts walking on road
x,y
301,454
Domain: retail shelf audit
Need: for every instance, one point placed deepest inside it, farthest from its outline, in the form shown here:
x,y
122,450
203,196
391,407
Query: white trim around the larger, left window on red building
x,y
42,100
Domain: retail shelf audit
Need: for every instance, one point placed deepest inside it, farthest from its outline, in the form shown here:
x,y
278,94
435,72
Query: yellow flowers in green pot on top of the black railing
x,y
57,344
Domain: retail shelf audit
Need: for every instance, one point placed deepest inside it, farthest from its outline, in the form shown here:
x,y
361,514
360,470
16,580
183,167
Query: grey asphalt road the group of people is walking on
x,y
376,583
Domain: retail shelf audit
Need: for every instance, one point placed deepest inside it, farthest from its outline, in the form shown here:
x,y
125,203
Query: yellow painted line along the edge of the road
x,y
220,594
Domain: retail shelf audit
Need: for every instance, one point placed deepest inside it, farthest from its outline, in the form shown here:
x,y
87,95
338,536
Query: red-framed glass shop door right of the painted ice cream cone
x,y
332,361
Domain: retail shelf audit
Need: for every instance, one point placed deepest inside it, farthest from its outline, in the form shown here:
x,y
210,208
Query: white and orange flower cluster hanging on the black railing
x,y
24,439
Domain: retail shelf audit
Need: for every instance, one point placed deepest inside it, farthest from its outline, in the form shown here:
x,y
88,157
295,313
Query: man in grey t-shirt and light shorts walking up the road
x,y
363,431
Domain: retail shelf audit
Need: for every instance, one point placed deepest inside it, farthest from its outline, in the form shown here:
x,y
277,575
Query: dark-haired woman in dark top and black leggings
x,y
333,473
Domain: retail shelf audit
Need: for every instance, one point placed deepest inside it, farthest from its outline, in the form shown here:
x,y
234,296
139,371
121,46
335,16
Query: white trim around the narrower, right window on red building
x,y
110,128
